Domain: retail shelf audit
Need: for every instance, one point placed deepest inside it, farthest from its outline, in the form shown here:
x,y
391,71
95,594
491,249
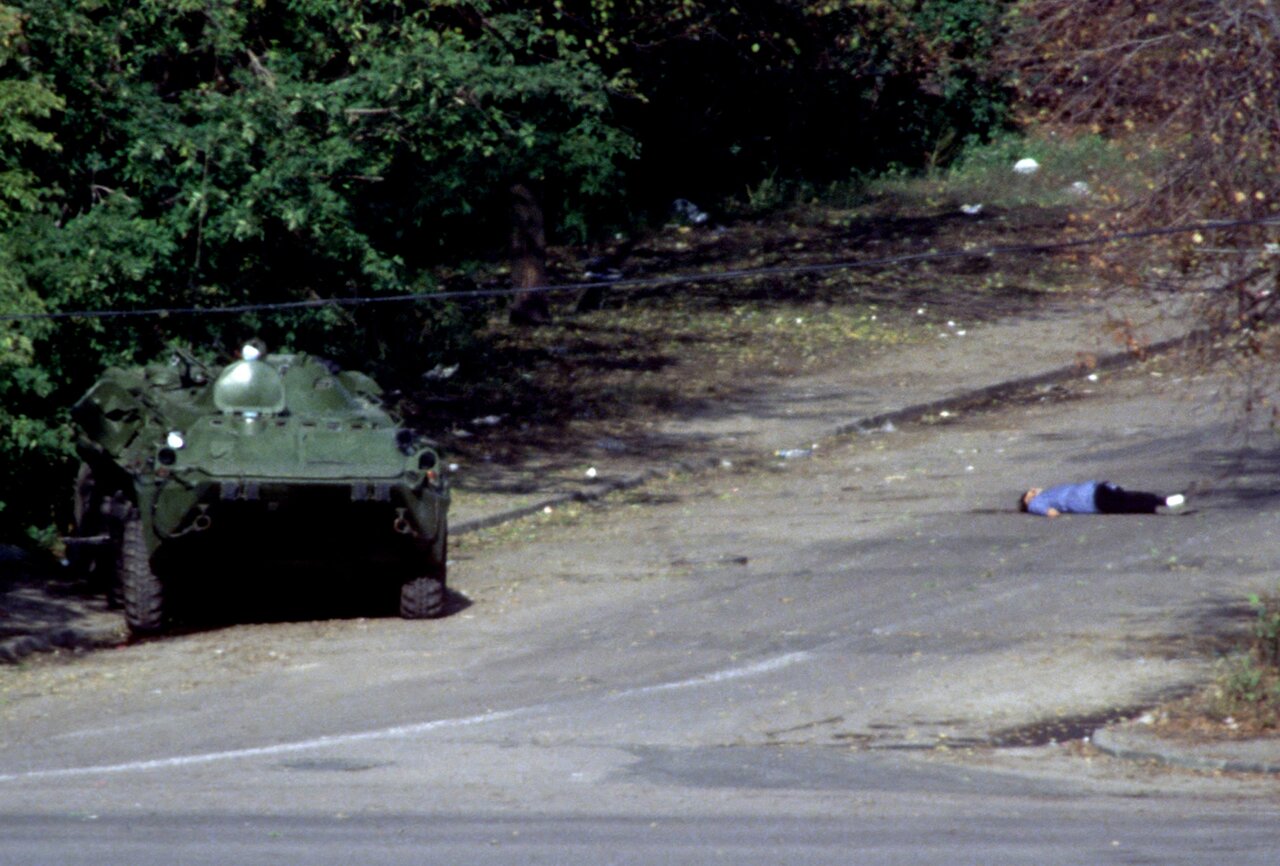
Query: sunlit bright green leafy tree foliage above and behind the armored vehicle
x,y
200,154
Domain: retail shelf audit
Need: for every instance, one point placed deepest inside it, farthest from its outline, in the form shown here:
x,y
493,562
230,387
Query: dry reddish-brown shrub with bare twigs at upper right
x,y
1194,88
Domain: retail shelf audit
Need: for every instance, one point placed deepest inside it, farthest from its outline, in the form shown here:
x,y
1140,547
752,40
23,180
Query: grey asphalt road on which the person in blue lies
x,y
861,657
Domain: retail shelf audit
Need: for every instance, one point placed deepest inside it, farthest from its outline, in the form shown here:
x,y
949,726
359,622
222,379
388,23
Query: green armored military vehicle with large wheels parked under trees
x,y
276,464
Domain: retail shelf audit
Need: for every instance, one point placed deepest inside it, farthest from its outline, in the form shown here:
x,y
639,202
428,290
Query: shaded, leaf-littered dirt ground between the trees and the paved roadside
x,y
602,373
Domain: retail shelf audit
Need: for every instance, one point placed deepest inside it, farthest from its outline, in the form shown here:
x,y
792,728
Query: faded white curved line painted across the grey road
x,y
397,732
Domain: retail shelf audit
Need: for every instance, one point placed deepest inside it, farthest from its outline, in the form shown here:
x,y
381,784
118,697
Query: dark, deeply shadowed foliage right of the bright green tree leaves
x,y
726,95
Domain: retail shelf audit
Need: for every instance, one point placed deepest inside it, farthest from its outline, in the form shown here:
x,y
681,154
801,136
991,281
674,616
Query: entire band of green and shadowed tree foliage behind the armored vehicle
x,y
199,154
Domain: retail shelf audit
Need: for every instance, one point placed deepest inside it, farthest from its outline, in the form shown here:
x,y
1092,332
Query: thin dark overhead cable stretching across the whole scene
x,y
659,282
